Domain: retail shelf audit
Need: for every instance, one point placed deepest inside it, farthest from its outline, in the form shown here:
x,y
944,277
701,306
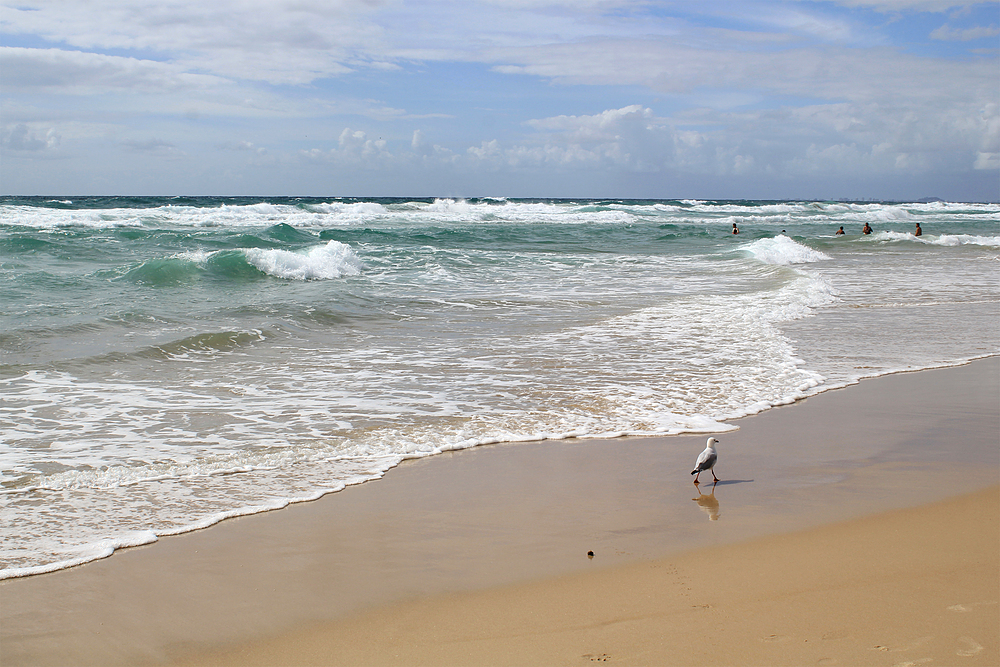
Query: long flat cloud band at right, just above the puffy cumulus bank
x,y
831,73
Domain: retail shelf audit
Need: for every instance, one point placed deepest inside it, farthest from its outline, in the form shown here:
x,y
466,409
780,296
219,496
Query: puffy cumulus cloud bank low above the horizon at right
x,y
842,139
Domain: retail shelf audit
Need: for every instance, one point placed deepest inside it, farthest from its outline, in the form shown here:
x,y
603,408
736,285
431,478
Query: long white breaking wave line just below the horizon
x,y
337,214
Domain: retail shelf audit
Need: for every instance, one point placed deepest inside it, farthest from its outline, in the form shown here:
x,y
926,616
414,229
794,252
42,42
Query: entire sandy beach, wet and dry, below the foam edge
x,y
860,526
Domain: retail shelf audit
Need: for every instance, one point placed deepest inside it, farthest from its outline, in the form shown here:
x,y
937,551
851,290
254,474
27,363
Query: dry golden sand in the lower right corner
x,y
911,587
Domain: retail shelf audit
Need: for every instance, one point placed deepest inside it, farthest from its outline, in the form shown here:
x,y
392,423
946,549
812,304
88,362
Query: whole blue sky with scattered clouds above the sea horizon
x,y
775,99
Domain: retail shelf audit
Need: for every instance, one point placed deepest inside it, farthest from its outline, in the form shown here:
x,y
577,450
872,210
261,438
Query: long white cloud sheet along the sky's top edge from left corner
x,y
300,41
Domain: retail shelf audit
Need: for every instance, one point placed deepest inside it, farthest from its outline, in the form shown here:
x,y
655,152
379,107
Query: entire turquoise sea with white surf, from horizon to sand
x,y
170,362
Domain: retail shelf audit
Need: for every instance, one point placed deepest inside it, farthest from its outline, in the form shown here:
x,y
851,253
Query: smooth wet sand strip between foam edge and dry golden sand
x,y
496,516
